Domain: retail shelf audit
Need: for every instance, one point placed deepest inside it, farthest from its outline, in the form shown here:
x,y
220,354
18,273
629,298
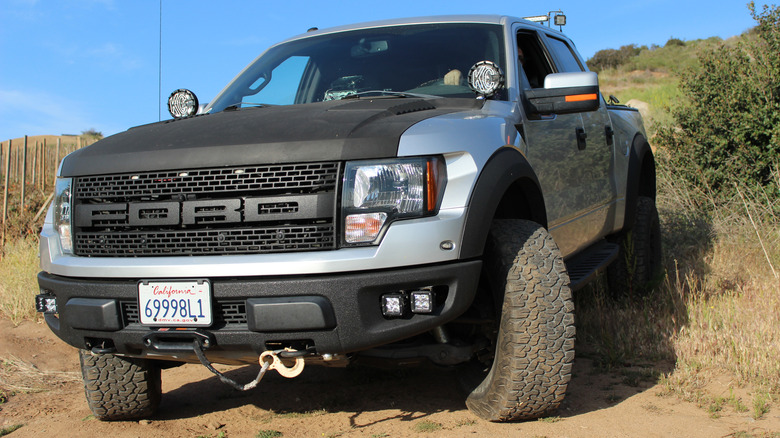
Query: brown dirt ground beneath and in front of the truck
x,y
352,402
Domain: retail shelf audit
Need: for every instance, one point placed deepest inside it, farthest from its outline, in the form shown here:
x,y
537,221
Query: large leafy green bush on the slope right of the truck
x,y
727,130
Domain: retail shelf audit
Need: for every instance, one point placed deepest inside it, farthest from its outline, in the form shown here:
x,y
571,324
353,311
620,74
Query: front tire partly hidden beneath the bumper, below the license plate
x,y
120,388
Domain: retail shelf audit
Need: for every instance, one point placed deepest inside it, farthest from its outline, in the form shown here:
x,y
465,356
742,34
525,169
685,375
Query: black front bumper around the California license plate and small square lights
x,y
336,314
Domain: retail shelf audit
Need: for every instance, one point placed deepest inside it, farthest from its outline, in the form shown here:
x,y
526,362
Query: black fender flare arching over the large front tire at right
x,y
506,171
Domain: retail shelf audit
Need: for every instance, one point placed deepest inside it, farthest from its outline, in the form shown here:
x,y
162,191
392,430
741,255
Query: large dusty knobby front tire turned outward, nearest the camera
x,y
534,346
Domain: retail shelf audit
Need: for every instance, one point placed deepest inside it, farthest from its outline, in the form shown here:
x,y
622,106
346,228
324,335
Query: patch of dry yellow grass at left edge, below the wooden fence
x,y
18,281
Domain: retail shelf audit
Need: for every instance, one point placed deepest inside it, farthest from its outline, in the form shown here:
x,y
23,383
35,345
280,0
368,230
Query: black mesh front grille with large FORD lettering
x,y
218,211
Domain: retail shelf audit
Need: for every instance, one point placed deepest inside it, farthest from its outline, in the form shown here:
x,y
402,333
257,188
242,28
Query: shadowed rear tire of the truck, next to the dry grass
x,y
637,268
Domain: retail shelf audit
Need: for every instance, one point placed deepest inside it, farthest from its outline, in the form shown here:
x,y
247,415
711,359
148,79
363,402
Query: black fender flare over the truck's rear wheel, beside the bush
x,y
641,179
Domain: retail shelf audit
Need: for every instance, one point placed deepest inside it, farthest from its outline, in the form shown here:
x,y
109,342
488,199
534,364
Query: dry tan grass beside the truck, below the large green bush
x,y
717,311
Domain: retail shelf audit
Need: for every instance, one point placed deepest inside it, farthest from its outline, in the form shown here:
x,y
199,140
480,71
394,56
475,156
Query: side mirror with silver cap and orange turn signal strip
x,y
564,93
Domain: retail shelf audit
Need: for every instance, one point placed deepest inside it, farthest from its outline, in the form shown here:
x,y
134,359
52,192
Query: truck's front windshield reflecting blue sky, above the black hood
x,y
427,59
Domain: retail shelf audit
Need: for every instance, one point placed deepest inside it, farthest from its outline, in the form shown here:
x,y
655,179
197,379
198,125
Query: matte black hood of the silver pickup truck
x,y
324,131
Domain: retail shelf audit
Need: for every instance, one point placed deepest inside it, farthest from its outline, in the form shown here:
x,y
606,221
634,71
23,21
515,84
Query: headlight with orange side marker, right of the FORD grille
x,y
377,193
